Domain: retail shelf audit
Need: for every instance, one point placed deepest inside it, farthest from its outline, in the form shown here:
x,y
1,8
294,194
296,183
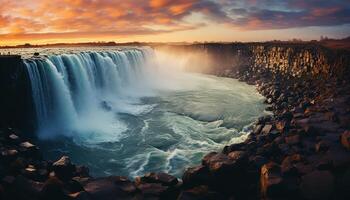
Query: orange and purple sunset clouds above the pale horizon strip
x,y
22,19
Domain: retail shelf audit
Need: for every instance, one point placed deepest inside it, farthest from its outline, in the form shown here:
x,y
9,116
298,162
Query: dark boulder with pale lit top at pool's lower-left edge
x,y
63,168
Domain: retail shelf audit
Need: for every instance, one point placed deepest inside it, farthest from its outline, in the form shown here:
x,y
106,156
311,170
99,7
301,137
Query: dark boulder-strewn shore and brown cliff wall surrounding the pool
x,y
300,152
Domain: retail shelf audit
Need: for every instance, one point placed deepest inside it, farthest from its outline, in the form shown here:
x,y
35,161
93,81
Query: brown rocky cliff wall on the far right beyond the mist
x,y
295,60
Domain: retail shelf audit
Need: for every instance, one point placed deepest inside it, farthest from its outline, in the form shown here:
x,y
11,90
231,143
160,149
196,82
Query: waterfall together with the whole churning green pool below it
x,y
130,111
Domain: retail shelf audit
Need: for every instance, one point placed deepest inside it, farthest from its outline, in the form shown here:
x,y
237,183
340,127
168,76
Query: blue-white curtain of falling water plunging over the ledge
x,y
77,92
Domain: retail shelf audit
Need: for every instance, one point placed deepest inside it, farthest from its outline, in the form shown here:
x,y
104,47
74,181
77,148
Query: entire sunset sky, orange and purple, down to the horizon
x,y
73,21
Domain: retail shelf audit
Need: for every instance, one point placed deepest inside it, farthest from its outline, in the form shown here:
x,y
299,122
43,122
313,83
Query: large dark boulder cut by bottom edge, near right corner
x,y
317,185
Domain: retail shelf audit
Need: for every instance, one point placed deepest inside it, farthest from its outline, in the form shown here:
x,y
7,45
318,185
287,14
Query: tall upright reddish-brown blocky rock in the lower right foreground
x,y
271,181
